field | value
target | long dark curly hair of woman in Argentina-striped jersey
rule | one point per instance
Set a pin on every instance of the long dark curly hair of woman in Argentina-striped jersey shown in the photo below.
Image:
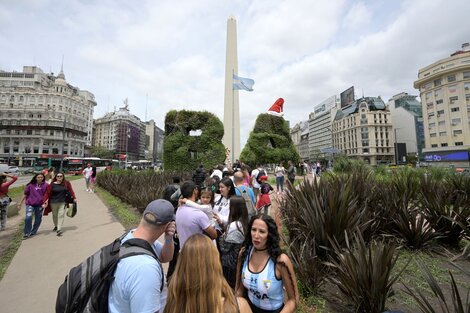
(274, 250)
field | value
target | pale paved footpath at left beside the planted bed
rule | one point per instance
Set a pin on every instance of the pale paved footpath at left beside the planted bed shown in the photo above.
(41, 263)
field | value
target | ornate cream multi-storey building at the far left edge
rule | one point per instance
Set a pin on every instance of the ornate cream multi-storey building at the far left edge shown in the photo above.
(35, 109)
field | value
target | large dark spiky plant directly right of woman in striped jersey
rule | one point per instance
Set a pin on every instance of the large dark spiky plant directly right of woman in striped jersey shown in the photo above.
(313, 213)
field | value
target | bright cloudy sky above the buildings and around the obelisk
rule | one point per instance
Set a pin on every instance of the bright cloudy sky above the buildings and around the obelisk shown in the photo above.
(164, 55)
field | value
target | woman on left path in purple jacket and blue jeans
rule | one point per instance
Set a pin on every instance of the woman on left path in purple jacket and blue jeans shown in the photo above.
(34, 195)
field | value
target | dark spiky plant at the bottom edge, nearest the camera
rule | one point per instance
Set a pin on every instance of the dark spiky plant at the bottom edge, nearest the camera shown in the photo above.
(363, 273)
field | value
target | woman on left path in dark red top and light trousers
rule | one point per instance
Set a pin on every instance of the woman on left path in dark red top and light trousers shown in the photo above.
(54, 200)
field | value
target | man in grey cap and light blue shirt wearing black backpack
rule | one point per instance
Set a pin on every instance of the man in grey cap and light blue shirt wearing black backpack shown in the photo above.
(125, 275)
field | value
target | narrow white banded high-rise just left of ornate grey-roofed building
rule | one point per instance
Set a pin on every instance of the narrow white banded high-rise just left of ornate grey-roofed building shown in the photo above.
(319, 125)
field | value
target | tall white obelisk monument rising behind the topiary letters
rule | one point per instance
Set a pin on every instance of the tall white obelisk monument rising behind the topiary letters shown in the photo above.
(231, 138)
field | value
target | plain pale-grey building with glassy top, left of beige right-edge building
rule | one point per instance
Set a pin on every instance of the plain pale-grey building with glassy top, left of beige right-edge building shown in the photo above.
(407, 117)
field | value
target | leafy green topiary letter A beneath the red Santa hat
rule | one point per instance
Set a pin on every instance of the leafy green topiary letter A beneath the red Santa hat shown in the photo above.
(269, 142)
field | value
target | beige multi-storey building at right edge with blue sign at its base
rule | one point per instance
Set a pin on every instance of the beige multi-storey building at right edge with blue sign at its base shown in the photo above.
(444, 88)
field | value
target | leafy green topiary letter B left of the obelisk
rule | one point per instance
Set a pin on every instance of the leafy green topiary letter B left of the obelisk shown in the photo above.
(192, 138)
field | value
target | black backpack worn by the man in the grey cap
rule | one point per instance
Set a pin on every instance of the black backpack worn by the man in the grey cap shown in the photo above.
(86, 287)
